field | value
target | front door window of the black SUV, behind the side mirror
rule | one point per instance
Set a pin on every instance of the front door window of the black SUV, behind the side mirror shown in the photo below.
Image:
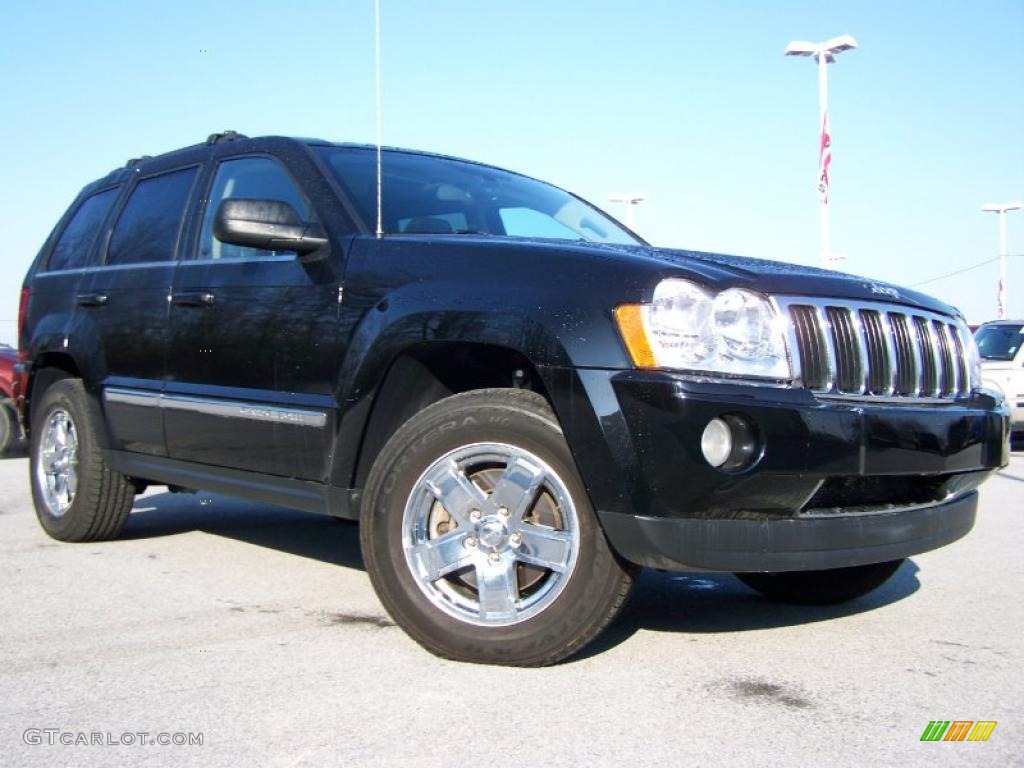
(253, 179)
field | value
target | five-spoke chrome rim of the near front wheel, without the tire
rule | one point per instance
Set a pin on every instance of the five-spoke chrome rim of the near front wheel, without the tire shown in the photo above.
(491, 534)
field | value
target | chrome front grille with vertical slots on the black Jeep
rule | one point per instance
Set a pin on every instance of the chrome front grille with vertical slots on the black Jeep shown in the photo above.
(869, 350)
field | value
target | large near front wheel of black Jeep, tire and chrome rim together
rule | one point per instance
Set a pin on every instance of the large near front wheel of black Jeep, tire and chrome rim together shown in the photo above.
(516, 518)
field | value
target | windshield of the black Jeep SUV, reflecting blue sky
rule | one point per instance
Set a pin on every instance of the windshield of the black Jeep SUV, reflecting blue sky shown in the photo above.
(428, 195)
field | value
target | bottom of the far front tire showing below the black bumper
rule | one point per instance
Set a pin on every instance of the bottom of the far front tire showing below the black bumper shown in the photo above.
(822, 587)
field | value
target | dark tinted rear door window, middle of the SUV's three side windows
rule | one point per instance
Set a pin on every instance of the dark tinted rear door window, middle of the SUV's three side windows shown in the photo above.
(148, 228)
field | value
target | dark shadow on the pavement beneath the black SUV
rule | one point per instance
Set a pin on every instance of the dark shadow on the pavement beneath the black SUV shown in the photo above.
(685, 604)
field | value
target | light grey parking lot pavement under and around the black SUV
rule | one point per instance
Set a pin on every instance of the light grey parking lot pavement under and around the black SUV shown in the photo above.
(258, 628)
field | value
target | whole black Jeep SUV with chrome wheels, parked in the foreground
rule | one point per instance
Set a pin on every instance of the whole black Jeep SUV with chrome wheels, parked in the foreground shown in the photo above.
(519, 399)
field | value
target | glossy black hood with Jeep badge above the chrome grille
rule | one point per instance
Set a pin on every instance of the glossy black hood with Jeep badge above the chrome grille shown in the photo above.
(780, 278)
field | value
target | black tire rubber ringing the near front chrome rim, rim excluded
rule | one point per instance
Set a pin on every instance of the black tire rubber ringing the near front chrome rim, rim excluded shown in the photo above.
(435, 436)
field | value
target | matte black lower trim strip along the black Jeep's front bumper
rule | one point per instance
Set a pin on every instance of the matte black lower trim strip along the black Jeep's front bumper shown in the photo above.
(789, 544)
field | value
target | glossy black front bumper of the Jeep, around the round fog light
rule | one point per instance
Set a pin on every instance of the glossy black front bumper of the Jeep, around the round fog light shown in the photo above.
(836, 483)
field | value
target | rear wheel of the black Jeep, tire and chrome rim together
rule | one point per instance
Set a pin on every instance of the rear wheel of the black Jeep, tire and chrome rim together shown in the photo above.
(78, 498)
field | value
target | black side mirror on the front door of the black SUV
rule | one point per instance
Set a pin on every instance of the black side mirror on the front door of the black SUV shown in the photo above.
(270, 225)
